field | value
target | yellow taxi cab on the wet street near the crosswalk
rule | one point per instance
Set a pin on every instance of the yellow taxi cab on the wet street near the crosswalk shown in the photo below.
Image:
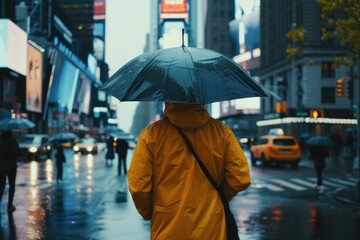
(278, 149)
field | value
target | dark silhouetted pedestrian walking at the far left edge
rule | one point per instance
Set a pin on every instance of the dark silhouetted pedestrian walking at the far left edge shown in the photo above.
(9, 148)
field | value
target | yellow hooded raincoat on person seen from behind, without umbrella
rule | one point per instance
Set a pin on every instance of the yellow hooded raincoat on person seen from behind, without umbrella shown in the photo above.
(166, 183)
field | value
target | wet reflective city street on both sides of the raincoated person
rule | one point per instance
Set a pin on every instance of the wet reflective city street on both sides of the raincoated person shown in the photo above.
(93, 202)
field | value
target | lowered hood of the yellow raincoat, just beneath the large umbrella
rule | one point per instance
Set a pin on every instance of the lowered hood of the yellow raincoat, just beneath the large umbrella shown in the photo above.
(187, 116)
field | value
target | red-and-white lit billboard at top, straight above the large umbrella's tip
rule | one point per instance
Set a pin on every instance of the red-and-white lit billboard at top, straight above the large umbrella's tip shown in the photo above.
(173, 9)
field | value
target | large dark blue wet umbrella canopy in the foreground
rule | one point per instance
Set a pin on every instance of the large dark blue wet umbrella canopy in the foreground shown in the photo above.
(182, 74)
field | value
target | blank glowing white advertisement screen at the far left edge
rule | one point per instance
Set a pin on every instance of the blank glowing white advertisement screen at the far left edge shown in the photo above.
(13, 47)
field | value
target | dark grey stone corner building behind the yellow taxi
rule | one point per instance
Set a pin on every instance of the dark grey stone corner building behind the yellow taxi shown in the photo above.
(305, 84)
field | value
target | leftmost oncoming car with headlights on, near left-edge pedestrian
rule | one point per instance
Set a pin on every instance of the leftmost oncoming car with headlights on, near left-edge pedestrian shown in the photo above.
(35, 146)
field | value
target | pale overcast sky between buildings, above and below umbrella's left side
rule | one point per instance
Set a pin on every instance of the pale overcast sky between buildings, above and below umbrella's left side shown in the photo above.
(127, 23)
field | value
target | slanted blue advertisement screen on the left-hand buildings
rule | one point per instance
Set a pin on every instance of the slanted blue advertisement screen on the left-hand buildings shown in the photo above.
(63, 82)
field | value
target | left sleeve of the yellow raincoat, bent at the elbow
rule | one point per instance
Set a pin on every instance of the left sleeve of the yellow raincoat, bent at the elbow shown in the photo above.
(140, 179)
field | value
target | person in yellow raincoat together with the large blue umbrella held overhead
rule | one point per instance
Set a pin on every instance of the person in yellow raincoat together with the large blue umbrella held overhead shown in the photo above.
(187, 166)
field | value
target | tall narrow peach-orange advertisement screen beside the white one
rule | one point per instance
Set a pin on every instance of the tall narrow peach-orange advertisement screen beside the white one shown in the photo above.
(34, 80)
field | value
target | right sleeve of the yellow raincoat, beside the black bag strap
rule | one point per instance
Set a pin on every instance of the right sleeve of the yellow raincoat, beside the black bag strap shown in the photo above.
(237, 174)
